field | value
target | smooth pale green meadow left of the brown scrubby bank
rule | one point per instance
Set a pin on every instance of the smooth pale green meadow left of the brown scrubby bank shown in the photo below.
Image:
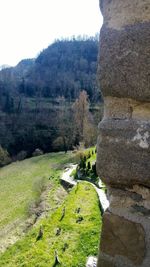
(19, 188)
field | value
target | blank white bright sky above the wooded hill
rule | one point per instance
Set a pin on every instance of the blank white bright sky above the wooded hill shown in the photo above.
(28, 26)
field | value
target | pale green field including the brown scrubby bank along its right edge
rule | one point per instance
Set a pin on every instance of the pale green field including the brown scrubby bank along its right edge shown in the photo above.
(24, 186)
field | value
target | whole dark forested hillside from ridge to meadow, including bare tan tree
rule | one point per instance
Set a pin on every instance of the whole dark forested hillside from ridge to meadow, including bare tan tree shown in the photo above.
(39, 99)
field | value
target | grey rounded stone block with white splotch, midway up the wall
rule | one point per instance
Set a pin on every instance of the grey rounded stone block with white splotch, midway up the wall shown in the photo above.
(123, 152)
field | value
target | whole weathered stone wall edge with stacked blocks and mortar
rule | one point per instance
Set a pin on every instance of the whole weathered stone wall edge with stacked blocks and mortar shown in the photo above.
(123, 160)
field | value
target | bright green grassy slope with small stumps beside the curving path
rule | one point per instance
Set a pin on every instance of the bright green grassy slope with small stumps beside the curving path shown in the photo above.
(76, 240)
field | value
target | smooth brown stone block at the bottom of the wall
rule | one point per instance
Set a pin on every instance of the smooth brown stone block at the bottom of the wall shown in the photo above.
(123, 237)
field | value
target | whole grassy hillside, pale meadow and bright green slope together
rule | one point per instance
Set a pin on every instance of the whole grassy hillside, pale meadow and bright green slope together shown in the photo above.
(80, 221)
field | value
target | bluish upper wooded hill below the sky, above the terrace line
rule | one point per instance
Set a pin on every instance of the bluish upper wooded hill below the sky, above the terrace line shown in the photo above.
(63, 69)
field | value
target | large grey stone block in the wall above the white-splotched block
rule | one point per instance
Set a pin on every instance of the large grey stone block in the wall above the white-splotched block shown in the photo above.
(124, 69)
